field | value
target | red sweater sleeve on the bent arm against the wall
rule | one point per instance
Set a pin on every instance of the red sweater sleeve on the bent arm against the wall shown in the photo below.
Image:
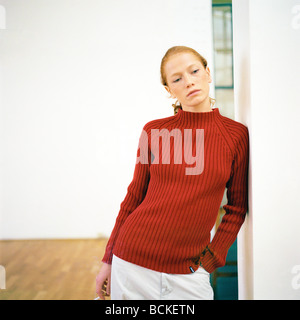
(214, 256)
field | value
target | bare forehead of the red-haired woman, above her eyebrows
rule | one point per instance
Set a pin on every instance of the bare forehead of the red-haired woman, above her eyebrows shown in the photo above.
(179, 62)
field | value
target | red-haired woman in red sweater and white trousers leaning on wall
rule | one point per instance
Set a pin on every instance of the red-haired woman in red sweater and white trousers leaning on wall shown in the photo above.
(160, 247)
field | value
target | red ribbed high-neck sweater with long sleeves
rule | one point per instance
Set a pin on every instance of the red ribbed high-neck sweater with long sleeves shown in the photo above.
(165, 220)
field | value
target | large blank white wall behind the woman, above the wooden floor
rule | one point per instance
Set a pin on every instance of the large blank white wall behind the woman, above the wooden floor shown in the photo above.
(80, 78)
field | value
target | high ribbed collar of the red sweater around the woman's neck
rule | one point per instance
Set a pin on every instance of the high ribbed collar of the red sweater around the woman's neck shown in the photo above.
(197, 118)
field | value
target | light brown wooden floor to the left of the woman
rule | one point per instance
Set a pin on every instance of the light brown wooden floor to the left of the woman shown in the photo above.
(51, 269)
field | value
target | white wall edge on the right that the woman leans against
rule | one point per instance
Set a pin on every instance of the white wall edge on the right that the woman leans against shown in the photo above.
(266, 62)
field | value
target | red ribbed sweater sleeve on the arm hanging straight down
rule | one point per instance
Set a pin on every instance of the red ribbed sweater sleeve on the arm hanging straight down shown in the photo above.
(136, 192)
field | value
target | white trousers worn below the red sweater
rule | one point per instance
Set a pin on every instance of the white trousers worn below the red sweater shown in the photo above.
(132, 282)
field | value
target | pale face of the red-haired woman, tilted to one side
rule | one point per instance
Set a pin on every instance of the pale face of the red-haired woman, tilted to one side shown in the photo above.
(188, 81)
